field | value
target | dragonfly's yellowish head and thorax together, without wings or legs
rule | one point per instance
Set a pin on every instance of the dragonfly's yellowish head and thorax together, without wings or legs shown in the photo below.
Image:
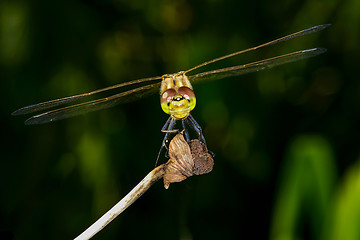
(176, 95)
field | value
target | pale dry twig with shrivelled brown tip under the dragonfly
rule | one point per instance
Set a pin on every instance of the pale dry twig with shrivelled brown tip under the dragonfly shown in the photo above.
(186, 159)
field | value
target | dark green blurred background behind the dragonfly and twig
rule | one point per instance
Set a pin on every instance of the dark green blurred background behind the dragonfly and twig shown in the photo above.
(286, 140)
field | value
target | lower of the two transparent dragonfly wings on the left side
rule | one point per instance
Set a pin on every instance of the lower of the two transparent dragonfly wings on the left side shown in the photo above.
(94, 105)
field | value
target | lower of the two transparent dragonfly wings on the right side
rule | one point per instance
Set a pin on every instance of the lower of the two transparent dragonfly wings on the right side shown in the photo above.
(255, 66)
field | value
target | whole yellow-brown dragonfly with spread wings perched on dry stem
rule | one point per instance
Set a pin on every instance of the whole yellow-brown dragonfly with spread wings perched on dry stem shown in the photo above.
(177, 97)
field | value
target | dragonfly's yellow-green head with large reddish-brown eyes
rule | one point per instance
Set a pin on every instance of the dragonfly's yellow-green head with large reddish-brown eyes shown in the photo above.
(178, 104)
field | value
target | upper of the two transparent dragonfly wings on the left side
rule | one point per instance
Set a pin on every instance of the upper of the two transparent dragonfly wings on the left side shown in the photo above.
(65, 100)
